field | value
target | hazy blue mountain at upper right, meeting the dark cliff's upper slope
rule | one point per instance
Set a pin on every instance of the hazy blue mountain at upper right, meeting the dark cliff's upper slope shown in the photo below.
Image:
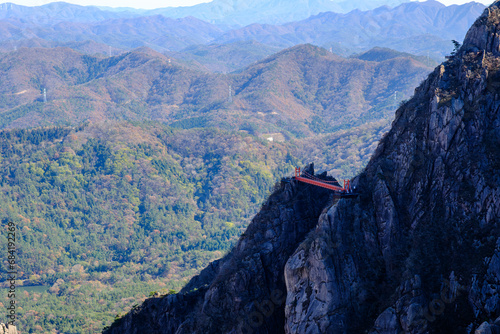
(412, 27)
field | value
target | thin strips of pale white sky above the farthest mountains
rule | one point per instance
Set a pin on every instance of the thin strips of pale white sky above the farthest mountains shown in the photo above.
(148, 4)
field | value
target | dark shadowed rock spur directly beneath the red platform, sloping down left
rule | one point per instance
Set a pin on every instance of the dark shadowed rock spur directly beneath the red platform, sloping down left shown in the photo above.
(245, 291)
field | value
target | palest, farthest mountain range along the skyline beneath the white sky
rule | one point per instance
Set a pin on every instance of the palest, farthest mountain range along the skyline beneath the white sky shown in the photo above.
(223, 12)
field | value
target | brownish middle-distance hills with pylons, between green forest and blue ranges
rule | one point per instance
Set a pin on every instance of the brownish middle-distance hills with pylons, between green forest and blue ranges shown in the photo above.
(297, 92)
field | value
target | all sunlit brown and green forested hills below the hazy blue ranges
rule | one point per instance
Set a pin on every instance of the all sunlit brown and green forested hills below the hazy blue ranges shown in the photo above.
(145, 169)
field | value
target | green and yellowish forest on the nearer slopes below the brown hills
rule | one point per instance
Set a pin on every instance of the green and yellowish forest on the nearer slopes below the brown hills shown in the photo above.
(108, 214)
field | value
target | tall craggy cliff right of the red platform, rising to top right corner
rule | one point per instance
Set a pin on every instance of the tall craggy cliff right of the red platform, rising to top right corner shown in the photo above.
(419, 250)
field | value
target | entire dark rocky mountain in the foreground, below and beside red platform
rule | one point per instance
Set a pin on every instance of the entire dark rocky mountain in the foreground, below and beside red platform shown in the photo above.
(418, 251)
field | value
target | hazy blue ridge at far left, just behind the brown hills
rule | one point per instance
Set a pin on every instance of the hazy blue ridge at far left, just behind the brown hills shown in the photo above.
(125, 33)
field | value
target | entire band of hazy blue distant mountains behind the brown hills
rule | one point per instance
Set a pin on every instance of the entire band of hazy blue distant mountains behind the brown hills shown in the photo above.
(420, 28)
